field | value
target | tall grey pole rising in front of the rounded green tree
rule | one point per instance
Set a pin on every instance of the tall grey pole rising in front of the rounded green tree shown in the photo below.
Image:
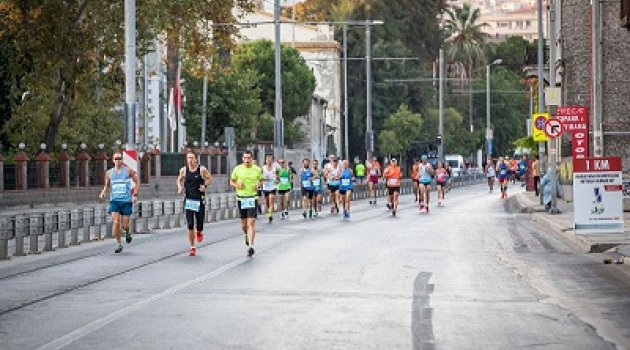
(278, 142)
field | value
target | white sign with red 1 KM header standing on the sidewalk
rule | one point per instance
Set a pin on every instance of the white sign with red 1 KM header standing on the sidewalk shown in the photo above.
(598, 195)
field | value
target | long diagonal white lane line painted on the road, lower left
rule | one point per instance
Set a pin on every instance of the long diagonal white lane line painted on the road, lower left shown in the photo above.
(102, 322)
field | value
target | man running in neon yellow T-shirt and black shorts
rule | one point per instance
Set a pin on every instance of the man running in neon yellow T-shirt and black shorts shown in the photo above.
(246, 178)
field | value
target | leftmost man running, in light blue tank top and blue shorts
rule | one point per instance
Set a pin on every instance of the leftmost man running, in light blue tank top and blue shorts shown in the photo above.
(121, 197)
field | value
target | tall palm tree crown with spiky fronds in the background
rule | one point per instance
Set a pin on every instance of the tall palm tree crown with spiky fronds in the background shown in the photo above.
(466, 39)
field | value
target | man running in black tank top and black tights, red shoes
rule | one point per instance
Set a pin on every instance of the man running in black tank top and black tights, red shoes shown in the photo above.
(196, 179)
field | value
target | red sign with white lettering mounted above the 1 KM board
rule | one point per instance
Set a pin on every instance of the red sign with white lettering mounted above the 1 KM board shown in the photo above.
(575, 120)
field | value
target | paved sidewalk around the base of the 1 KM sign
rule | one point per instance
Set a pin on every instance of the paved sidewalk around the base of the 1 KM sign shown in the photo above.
(562, 225)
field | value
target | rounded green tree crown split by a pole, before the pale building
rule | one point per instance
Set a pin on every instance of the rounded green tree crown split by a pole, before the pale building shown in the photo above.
(298, 82)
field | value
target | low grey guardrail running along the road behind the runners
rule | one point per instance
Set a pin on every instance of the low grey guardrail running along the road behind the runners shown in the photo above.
(35, 233)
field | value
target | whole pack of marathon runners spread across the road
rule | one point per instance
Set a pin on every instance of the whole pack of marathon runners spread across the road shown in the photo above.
(257, 187)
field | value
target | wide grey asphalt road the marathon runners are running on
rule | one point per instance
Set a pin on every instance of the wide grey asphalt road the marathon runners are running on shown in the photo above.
(469, 275)
